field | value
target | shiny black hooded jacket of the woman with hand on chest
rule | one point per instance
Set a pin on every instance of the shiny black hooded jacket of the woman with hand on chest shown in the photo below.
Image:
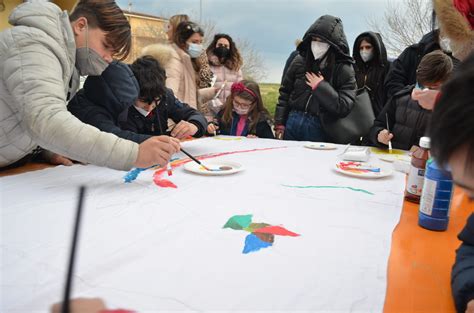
(335, 94)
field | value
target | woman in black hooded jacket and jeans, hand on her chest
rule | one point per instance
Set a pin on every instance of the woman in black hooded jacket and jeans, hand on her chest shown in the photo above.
(320, 80)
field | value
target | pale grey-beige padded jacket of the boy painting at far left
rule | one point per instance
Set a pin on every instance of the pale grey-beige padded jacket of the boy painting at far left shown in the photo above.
(37, 58)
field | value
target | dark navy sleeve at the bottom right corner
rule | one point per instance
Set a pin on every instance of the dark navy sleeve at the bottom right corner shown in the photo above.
(462, 276)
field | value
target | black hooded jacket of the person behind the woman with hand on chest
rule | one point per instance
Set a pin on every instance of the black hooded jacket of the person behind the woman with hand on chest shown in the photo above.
(372, 74)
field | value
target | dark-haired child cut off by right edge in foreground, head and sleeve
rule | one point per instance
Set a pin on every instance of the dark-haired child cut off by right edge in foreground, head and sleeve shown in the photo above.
(452, 144)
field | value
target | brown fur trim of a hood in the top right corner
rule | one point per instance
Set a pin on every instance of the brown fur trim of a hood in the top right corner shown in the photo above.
(456, 27)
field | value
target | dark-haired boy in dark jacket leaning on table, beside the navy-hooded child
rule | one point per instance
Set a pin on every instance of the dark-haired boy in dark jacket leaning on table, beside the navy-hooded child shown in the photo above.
(156, 103)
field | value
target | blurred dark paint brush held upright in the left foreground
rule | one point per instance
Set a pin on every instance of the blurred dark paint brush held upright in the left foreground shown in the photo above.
(67, 289)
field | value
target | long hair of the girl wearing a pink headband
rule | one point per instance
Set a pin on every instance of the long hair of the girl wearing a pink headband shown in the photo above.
(257, 112)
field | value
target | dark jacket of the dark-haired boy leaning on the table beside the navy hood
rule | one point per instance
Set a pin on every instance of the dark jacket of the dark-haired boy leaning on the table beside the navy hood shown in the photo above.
(156, 123)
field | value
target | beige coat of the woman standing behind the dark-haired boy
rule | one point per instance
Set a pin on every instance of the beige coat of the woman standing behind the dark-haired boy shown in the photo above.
(180, 75)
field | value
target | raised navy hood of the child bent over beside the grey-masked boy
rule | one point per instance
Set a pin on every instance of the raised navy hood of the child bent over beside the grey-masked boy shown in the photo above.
(115, 90)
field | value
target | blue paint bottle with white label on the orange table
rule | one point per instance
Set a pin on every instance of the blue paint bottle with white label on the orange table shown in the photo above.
(435, 198)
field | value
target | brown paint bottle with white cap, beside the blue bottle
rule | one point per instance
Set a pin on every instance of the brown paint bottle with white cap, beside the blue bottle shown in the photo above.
(416, 175)
